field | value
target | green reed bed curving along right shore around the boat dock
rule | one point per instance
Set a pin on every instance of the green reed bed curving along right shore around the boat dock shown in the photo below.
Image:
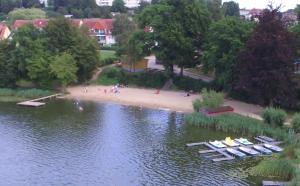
(284, 166)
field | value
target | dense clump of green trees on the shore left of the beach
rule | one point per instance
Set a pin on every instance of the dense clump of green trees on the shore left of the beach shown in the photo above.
(57, 55)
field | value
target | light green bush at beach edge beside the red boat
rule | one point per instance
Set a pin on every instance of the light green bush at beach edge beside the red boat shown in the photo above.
(212, 99)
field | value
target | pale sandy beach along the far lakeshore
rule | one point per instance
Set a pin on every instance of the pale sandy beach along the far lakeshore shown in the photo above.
(172, 100)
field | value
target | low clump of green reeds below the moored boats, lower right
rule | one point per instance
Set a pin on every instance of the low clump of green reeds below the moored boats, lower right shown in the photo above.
(278, 168)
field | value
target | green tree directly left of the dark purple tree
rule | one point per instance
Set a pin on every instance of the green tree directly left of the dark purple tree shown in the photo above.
(225, 40)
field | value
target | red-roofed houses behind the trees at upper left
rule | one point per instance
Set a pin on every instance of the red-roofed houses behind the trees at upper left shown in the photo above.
(101, 29)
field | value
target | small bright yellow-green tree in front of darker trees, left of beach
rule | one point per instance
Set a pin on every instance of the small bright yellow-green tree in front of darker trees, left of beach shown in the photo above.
(64, 69)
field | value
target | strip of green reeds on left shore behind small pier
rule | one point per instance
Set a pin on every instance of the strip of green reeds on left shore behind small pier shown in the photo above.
(15, 95)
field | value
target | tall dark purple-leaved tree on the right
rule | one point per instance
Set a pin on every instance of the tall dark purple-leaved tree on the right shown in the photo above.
(265, 67)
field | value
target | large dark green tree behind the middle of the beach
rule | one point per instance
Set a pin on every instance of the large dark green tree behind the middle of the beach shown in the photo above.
(178, 30)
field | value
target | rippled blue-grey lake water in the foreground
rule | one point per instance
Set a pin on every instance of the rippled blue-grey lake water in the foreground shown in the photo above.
(107, 144)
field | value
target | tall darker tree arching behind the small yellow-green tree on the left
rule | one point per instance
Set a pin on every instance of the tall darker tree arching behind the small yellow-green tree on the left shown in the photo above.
(65, 37)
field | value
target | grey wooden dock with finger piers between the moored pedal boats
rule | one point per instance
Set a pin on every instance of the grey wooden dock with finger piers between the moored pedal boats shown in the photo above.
(220, 154)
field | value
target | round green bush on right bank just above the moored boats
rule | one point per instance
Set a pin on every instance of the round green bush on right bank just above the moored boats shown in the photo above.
(274, 116)
